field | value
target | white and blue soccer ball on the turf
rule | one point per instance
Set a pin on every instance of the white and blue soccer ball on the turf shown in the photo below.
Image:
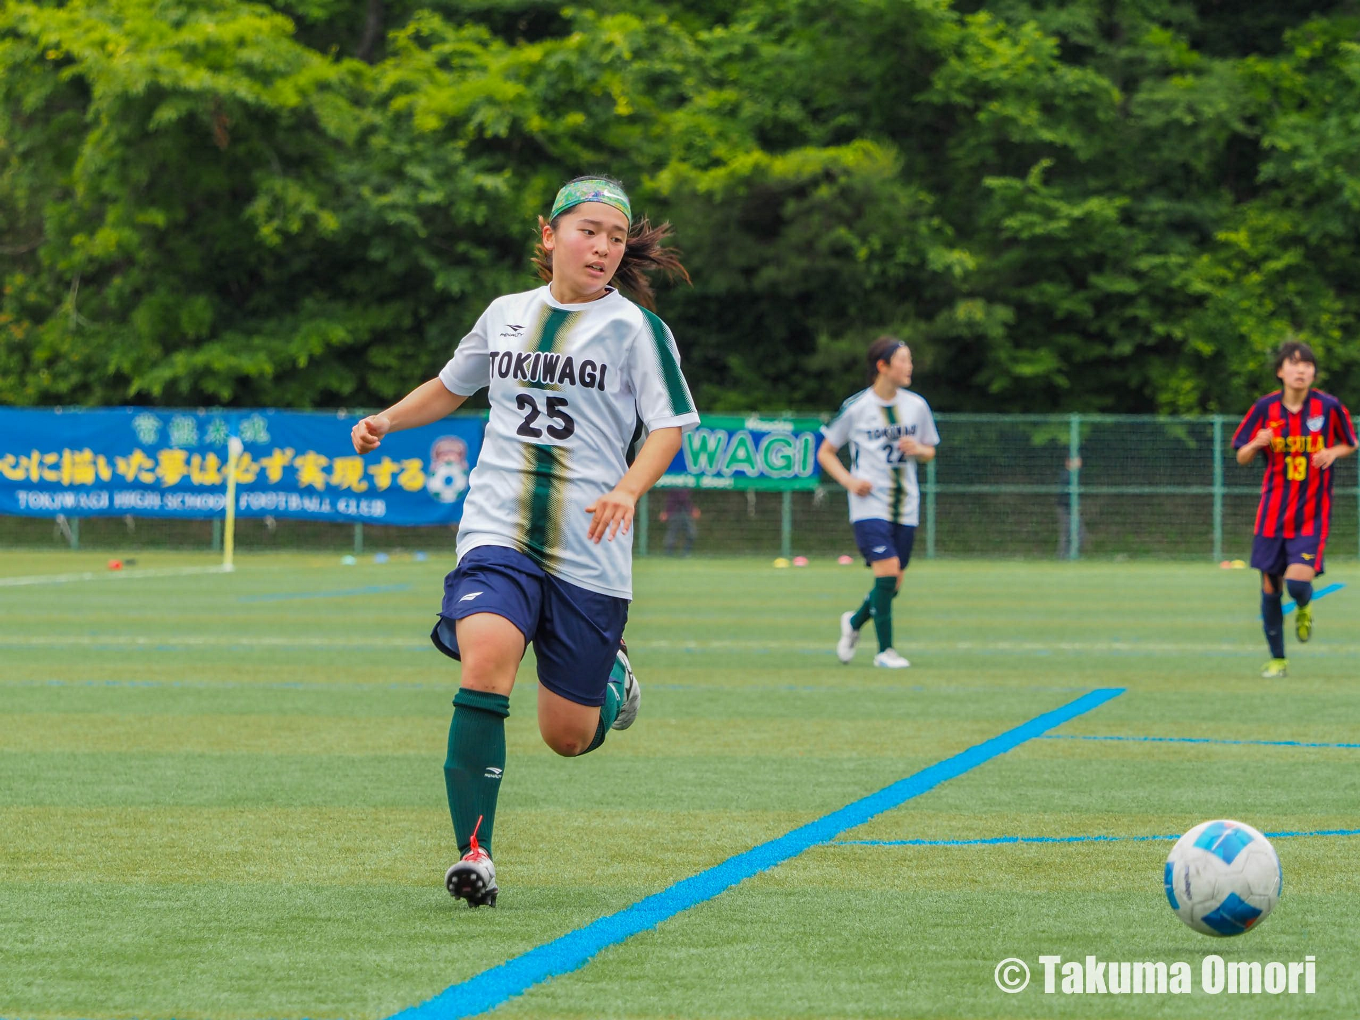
(1223, 878)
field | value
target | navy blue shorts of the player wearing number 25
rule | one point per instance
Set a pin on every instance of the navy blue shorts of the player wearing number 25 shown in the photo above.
(575, 632)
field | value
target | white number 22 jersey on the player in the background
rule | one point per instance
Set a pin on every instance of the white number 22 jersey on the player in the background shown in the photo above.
(872, 428)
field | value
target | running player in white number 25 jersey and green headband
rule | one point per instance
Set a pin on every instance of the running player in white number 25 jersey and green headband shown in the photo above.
(545, 553)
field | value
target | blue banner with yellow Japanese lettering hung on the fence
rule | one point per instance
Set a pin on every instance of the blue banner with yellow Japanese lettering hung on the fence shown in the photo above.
(157, 463)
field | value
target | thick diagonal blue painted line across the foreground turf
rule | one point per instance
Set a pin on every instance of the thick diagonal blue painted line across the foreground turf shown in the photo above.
(515, 977)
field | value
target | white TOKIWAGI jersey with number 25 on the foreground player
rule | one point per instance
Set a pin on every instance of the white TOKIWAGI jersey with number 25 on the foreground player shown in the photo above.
(569, 386)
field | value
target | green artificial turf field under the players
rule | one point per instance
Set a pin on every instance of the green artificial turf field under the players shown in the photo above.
(222, 796)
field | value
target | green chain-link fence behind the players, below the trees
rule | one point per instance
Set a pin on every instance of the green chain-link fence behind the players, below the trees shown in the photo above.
(1060, 486)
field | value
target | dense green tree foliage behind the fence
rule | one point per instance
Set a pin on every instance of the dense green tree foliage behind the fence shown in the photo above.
(1063, 206)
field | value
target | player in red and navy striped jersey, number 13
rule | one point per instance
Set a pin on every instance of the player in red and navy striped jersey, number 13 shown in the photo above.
(1304, 433)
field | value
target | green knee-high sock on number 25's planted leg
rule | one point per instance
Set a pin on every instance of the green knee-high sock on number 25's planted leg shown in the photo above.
(475, 764)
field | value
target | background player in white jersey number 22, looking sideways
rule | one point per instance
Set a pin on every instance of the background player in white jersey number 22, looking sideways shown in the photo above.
(890, 430)
